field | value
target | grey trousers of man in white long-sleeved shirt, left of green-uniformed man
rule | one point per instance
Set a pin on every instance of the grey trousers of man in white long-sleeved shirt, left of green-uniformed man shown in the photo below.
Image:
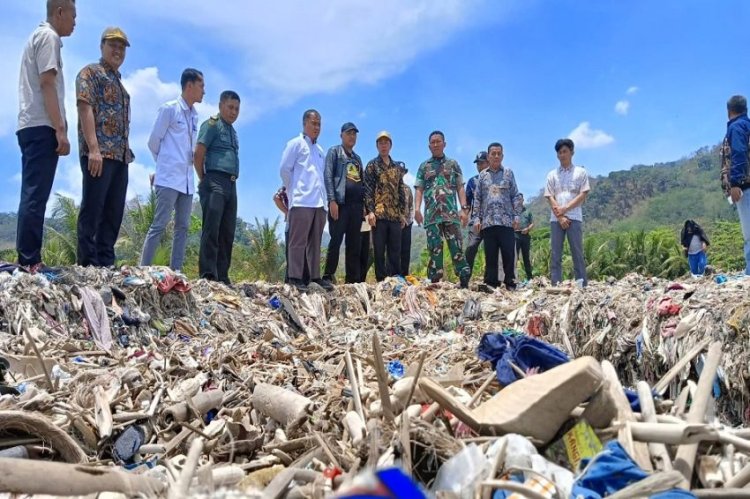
(168, 200)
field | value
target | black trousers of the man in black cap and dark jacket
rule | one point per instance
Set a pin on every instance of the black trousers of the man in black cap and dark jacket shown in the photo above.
(349, 224)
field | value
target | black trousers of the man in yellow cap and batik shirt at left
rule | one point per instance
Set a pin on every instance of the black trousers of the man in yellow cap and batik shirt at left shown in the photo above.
(102, 209)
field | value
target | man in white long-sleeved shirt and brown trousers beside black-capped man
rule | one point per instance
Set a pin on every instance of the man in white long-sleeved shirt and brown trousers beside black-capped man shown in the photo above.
(303, 174)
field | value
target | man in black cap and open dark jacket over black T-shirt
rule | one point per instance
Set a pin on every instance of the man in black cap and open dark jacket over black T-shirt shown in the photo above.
(343, 181)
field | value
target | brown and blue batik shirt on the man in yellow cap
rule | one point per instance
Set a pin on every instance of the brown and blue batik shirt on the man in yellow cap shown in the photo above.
(101, 87)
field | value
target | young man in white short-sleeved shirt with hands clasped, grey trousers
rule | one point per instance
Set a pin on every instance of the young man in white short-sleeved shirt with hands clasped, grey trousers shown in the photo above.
(566, 190)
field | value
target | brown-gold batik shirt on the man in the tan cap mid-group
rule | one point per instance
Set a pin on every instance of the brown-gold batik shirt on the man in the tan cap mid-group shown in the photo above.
(384, 192)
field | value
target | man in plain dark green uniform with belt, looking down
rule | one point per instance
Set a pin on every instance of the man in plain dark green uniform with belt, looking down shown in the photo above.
(217, 165)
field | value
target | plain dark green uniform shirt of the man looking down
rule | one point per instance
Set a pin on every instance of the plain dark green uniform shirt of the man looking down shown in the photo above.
(222, 146)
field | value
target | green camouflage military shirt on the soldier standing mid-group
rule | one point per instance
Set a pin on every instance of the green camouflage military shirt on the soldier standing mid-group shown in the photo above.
(440, 178)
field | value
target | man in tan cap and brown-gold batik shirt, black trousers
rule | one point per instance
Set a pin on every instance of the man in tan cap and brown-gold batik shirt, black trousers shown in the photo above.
(386, 207)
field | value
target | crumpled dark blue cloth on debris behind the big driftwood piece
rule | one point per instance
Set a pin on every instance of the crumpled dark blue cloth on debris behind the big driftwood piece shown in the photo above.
(524, 351)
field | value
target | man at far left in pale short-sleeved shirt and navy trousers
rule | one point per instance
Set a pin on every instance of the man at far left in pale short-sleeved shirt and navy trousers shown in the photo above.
(42, 127)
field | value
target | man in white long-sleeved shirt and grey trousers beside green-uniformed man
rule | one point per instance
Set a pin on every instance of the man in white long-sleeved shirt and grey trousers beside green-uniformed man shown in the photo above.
(172, 143)
